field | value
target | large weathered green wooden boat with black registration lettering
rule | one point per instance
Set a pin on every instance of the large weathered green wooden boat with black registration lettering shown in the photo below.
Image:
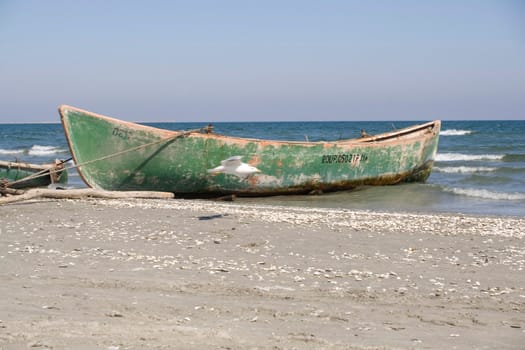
(116, 155)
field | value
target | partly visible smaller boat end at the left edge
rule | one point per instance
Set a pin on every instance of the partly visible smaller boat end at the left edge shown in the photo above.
(19, 175)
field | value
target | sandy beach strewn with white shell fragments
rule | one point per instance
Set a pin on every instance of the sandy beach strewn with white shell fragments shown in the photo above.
(180, 274)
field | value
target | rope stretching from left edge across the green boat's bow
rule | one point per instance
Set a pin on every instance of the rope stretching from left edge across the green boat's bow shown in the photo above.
(59, 167)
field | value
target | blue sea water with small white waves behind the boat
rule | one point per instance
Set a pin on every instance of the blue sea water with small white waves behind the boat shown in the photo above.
(479, 169)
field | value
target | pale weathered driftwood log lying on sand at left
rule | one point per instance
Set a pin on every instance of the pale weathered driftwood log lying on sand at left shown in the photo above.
(80, 193)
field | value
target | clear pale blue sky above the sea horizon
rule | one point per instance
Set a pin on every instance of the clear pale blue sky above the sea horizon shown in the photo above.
(263, 60)
